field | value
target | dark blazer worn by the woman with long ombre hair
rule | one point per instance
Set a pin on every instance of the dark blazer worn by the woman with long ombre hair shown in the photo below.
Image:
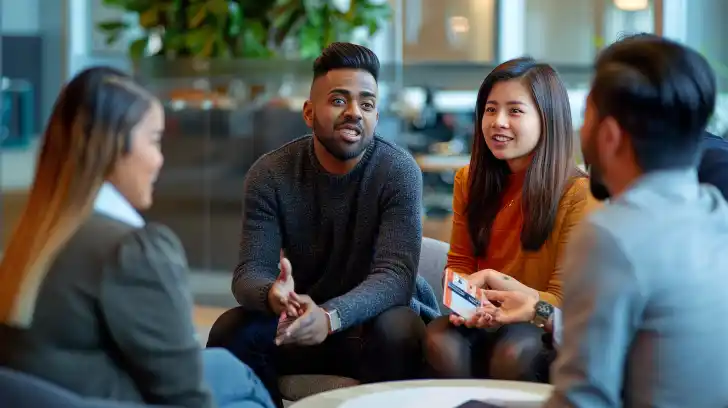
(113, 319)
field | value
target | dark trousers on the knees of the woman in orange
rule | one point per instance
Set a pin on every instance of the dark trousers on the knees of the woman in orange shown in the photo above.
(513, 352)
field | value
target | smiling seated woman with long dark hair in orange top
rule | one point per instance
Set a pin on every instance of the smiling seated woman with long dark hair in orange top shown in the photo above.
(514, 207)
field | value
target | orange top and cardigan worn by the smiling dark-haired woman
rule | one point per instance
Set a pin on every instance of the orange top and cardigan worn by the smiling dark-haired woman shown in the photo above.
(540, 270)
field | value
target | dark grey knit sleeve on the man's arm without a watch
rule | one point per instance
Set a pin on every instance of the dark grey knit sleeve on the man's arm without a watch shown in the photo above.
(260, 241)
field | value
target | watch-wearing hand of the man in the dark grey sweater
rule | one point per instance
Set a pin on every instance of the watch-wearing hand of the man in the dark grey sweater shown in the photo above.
(309, 329)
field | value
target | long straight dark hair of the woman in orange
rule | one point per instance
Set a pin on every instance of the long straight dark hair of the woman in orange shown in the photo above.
(550, 170)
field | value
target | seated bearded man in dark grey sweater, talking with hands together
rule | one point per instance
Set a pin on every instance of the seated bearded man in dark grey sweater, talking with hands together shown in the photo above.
(344, 207)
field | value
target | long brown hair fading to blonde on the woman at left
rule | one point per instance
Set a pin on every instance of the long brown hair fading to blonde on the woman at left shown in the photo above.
(89, 129)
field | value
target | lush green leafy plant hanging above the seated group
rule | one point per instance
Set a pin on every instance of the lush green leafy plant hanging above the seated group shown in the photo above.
(227, 29)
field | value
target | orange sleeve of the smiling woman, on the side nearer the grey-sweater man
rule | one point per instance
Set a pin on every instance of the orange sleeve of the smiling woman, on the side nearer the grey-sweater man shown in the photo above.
(461, 258)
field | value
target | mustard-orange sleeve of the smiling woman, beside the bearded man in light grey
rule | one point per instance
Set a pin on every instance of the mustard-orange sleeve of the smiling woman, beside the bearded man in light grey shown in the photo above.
(577, 203)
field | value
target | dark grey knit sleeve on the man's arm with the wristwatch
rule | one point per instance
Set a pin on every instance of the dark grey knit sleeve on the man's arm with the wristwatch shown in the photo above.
(391, 280)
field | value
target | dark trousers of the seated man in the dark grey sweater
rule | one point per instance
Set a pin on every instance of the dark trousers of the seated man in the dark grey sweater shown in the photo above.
(386, 348)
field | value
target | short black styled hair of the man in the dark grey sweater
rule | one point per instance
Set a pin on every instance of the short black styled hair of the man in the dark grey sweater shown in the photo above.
(341, 55)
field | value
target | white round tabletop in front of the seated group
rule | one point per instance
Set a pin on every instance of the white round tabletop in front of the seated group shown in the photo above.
(426, 393)
